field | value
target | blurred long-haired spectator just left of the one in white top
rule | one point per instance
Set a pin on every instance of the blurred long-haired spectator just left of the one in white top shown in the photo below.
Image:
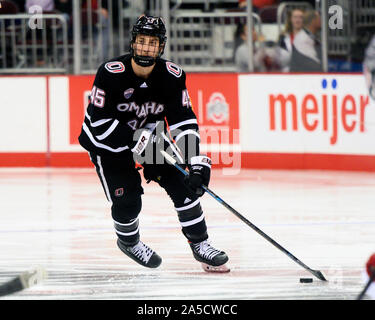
(293, 25)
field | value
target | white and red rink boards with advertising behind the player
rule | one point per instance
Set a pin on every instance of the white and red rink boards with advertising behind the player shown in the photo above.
(283, 121)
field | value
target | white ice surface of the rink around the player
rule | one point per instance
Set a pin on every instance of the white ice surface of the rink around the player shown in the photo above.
(60, 219)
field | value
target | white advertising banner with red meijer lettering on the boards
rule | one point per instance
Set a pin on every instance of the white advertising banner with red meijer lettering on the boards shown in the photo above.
(330, 114)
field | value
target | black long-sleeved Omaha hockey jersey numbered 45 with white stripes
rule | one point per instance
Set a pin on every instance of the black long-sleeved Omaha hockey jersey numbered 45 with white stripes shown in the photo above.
(121, 103)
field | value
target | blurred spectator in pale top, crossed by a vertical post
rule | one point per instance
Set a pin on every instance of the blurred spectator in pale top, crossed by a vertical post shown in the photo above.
(265, 54)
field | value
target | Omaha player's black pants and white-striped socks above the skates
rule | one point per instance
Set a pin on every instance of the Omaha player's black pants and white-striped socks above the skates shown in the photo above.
(121, 182)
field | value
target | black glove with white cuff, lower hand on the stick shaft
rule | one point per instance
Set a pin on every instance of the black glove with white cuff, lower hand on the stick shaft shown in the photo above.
(199, 173)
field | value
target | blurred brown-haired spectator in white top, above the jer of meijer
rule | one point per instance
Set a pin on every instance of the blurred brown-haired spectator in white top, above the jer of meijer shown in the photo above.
(307, 52)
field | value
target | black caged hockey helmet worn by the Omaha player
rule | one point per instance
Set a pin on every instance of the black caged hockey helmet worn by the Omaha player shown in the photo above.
(151, 26)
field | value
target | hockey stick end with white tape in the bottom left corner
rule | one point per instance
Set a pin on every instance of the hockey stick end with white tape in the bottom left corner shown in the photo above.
(23, 281)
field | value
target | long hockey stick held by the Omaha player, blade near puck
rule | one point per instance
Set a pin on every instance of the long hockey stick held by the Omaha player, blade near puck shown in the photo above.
(316, 273)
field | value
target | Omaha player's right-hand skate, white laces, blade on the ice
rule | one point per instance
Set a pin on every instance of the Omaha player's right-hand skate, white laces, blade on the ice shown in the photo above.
(212, 260)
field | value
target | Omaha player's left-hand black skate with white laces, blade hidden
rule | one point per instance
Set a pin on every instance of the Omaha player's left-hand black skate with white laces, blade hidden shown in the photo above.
(141, 253)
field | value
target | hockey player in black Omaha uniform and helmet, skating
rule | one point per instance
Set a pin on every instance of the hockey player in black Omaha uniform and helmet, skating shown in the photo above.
(131, 94)
